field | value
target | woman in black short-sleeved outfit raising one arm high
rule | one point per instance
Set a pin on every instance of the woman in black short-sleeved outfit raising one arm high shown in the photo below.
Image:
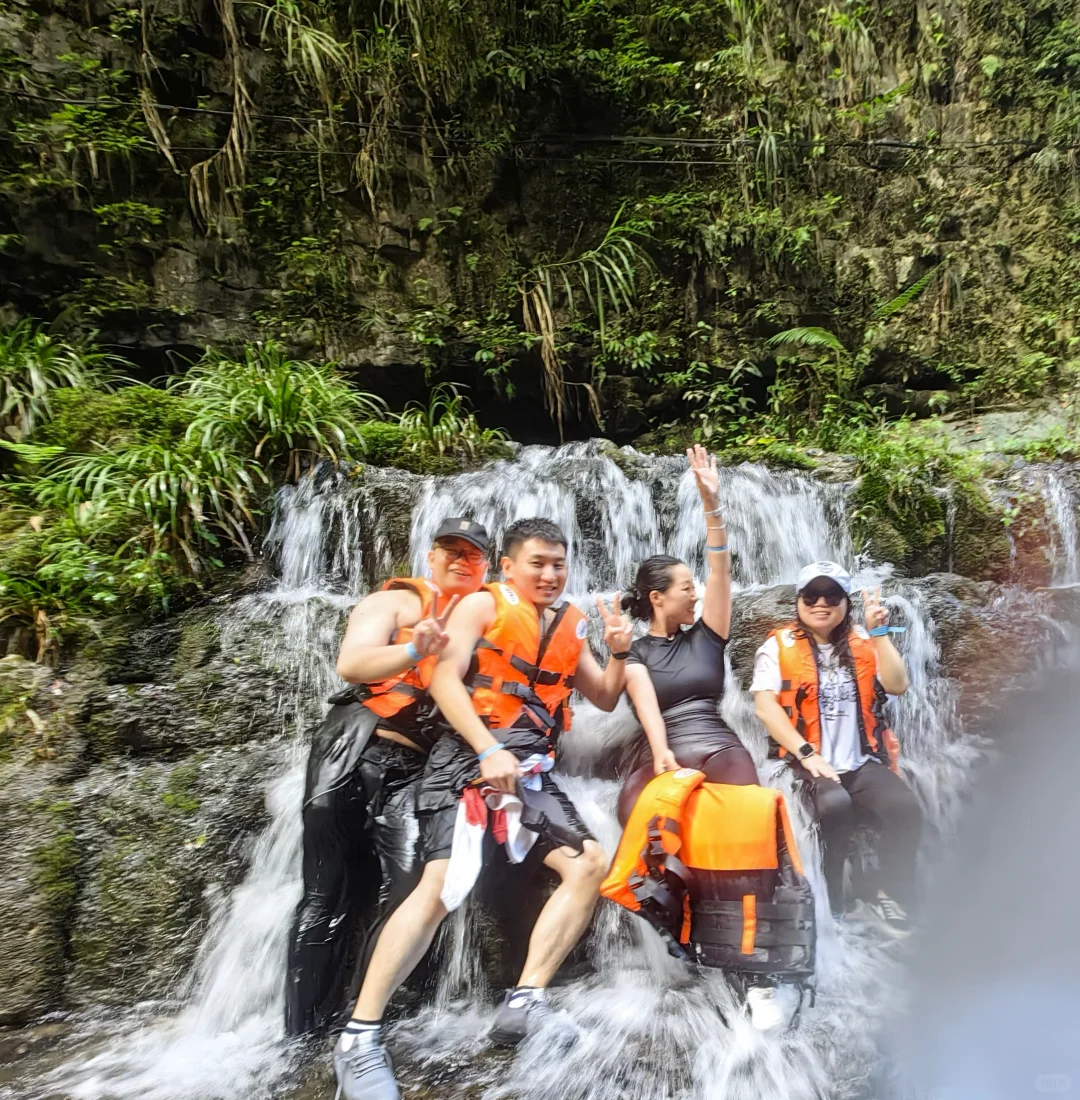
(676, 677)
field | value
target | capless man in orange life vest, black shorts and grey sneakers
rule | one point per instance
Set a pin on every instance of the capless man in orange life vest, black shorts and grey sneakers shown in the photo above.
(503, 684)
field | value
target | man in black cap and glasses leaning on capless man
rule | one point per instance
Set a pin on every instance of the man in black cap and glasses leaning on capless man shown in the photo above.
(359, 820)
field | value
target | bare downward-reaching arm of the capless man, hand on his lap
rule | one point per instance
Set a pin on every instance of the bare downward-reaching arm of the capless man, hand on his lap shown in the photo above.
(466, 628)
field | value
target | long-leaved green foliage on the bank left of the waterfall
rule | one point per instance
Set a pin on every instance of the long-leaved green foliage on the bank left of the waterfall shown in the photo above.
(137, 494)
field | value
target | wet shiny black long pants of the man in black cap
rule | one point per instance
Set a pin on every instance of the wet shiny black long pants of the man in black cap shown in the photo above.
(359, 861)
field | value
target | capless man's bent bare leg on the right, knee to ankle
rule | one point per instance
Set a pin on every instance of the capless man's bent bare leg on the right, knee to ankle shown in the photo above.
(568, 912)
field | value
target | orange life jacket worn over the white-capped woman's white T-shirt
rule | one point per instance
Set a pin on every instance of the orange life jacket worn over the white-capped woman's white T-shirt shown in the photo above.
(800, 699)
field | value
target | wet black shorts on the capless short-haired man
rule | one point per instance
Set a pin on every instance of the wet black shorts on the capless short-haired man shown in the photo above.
(453, 767)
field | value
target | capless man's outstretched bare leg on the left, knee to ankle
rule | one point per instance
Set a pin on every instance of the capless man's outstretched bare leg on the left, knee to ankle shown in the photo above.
(407, 936)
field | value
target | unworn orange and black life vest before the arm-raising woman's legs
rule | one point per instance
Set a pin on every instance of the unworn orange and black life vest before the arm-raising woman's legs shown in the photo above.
(717, 870)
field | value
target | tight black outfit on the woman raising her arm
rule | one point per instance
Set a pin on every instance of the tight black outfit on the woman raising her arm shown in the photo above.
(687, 672)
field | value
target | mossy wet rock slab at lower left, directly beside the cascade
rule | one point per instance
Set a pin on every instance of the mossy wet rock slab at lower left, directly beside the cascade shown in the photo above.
(162, 844)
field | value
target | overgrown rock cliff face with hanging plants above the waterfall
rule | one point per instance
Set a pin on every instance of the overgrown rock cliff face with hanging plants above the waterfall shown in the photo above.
(610, 207)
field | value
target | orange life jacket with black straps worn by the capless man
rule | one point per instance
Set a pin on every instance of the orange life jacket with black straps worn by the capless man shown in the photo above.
(520, 677)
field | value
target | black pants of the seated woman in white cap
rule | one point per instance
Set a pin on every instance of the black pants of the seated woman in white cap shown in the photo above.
(870, 796)
